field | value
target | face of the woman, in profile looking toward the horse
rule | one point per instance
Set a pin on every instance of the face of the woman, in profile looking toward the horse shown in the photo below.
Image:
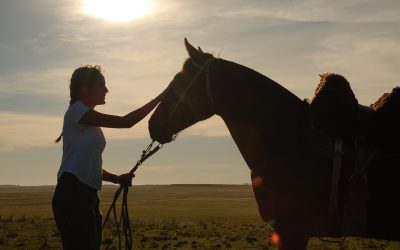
(95, 94)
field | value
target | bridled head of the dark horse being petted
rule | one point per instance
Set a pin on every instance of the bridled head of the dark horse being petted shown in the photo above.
(187, 100)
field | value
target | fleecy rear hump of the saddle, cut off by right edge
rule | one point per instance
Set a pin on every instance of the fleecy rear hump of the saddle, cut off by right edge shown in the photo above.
(384, 130)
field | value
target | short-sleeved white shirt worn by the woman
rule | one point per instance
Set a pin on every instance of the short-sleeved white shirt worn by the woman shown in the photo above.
(82, 147)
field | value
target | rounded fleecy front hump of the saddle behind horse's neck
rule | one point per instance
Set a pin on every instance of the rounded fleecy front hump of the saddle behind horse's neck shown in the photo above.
(334, 106)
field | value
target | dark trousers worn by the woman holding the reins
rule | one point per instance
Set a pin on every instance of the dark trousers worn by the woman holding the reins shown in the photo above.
(77, 215)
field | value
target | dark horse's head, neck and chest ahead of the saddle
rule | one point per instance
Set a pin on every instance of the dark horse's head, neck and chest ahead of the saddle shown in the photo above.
(291, 185)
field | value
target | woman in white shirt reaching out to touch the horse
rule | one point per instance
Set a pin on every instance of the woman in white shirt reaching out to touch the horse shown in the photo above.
(75, 201)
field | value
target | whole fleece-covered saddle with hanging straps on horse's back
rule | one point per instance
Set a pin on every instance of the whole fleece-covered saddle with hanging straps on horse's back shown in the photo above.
(369, 134)
